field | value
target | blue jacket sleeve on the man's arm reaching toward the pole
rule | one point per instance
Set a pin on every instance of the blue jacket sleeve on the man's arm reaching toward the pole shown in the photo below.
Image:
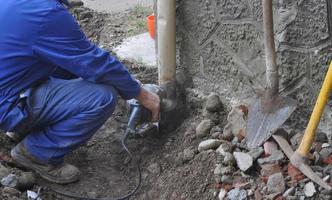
(62, 43)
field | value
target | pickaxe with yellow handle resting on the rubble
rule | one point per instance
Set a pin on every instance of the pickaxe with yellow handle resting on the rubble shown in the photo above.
(298, 157)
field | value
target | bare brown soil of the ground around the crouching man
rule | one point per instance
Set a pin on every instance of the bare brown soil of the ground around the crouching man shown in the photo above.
(106, 168)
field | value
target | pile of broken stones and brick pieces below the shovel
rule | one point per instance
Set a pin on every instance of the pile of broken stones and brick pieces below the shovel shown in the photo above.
(262, 173)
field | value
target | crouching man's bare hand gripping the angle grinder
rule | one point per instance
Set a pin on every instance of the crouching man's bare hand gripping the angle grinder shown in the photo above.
(150, 101)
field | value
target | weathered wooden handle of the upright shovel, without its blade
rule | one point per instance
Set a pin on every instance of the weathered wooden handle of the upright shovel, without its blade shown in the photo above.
(272, 77)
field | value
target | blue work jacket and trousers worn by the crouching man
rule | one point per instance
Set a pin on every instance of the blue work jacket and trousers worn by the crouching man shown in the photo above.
(41, 46)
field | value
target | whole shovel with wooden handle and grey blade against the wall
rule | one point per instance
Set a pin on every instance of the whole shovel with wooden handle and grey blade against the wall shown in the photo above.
(270, 110)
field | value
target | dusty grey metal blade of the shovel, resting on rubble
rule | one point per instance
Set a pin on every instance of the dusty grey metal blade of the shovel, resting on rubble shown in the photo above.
(265, 117)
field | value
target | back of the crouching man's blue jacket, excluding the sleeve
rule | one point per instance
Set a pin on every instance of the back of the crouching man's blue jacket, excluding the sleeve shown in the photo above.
(20, 23)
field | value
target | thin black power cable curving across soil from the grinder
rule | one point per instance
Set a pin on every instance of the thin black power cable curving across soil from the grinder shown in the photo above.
(127, 196)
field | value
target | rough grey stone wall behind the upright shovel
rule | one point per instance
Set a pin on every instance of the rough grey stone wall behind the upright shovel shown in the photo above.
(221, 46)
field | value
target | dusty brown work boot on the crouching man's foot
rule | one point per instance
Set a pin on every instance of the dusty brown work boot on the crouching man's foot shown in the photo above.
(61, 174)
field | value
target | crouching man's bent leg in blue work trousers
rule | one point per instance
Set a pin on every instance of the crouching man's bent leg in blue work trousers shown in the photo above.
(64, 114)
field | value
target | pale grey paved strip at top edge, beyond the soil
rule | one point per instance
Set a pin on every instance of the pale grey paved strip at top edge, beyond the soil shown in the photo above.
(113, 6)
